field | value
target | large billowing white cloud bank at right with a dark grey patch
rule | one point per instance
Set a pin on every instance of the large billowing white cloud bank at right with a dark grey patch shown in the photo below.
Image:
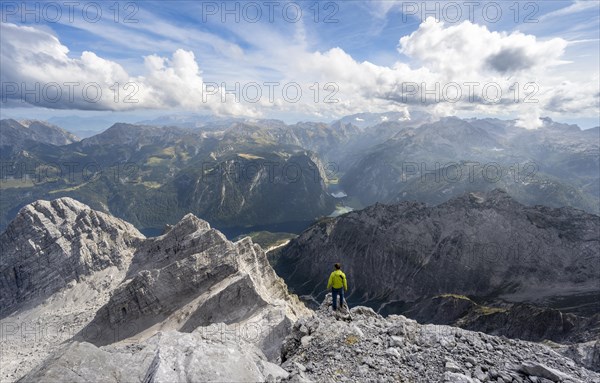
(463, 67)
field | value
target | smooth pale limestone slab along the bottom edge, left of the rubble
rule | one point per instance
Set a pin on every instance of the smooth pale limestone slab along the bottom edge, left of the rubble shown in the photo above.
(170, 356)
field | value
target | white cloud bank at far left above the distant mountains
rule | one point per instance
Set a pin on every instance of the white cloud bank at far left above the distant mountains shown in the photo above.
(37, 70)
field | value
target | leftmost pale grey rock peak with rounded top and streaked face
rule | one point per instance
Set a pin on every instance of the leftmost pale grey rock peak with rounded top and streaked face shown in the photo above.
(53, 243)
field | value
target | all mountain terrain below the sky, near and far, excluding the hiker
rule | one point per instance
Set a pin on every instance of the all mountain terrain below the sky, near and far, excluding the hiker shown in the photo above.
(470, 223)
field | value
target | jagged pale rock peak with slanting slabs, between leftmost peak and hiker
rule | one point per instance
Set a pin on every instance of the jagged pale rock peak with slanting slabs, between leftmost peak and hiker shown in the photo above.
(193, 276)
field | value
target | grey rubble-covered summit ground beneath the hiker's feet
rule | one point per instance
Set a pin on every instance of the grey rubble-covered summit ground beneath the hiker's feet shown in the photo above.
(397, 349)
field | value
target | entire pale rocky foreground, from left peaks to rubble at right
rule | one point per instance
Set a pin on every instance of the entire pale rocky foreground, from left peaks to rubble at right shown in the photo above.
(86, 297)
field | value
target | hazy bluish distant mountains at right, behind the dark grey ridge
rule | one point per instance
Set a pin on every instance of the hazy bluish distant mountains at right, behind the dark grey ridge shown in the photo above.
(556, 165)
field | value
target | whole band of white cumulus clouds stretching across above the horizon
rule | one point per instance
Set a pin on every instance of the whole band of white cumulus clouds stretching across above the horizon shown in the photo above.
(451, 68)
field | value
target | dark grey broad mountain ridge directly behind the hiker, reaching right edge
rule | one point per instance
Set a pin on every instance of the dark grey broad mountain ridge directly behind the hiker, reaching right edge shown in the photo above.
(485, 246)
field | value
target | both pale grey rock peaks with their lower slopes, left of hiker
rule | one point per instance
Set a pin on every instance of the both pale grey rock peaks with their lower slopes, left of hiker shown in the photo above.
(96, 279)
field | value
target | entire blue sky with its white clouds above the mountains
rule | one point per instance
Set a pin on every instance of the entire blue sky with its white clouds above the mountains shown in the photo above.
(355, 45)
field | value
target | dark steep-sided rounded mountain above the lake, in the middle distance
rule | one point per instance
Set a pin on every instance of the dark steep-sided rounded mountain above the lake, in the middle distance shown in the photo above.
(246, 189)
